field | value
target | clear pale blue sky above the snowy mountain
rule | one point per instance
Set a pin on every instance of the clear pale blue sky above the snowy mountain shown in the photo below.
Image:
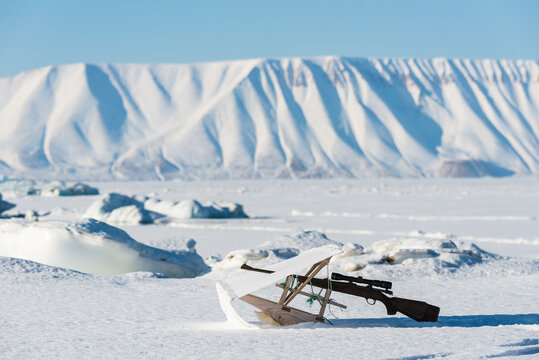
(40, 33)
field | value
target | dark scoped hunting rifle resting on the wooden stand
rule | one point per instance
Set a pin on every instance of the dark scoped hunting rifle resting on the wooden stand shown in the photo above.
(374, 290)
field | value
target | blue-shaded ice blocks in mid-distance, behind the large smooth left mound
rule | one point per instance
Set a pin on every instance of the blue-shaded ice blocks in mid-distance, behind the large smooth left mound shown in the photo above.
(121, 209)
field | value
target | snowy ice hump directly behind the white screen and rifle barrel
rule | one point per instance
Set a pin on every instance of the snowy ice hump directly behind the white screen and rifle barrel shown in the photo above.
(281, 248)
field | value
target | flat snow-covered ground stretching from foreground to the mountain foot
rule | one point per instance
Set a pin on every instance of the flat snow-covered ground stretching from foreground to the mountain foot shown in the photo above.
(488, 298)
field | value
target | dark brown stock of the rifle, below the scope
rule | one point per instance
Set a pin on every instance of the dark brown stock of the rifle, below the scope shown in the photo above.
(417, 310)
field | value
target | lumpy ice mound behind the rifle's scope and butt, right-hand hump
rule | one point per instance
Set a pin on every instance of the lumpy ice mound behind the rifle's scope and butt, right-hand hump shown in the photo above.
(427, 253)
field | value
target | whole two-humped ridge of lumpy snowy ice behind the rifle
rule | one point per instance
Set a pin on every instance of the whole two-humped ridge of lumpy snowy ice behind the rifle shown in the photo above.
(431, 255)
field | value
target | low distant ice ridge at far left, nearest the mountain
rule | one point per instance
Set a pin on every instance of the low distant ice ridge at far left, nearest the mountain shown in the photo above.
(17, 187)
